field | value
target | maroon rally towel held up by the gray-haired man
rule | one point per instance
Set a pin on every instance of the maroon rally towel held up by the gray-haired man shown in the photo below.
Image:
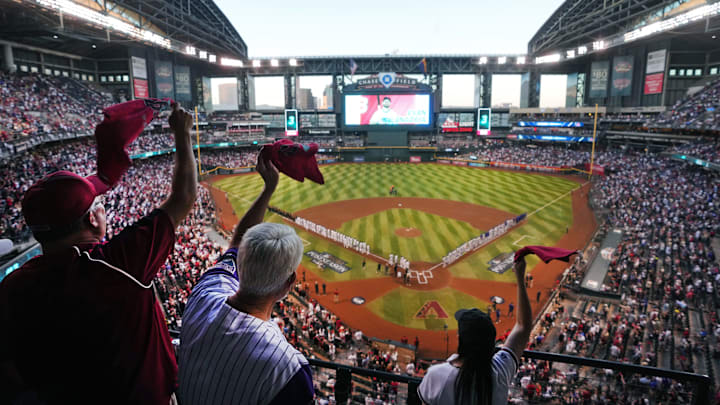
(295, 160)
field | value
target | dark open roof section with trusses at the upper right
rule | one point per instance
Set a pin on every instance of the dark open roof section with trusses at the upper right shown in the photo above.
(585, 21)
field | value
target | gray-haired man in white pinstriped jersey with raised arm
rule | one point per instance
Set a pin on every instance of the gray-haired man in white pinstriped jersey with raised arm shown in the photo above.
(230, 352)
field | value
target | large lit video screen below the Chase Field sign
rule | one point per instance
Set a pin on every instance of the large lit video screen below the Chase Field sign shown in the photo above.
(387, 110)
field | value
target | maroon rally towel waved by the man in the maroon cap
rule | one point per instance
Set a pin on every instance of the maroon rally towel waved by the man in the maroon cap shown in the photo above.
(122, 124)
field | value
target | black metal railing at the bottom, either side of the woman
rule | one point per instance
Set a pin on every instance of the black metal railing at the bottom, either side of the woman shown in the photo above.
(701, 393)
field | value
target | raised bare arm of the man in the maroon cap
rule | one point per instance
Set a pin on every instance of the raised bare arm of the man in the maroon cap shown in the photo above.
(184, 182)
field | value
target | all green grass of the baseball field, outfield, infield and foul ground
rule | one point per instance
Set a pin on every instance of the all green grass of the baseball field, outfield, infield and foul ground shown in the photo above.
(546, 198)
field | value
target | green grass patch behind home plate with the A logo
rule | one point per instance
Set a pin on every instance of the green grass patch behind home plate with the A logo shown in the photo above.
(401, 306)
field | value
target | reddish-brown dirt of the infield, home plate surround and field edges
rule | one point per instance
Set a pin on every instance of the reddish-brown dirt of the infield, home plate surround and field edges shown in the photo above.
(432, 343)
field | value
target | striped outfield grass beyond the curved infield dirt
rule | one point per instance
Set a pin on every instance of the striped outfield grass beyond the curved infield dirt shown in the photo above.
(509, 191)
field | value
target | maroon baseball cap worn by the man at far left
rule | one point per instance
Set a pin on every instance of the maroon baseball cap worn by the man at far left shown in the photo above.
(59, 199)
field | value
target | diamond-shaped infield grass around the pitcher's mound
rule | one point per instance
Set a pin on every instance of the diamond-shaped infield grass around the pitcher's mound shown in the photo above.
(439, 234)
